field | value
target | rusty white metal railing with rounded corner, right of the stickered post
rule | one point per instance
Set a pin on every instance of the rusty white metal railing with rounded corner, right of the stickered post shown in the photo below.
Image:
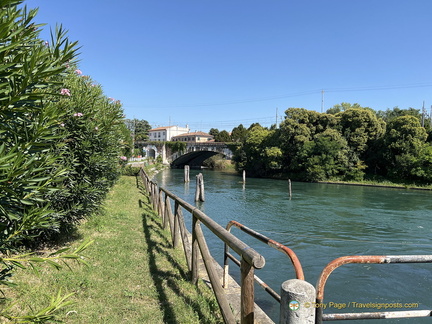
(378, 259)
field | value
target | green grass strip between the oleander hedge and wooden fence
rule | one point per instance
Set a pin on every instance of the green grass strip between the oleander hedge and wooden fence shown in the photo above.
(134, 275)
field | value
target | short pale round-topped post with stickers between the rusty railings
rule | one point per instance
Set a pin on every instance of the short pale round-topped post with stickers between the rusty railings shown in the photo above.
(297, 302)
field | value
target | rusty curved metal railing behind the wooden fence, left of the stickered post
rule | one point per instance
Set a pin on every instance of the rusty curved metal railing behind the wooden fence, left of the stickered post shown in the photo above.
(280, 247)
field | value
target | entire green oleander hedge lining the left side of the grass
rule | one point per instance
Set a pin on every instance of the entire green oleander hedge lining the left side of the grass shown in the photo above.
(62, 142)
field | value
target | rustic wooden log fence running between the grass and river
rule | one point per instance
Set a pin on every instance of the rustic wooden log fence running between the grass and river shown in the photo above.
(250, 259)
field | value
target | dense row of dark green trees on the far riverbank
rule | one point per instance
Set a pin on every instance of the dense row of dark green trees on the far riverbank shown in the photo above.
(348, 142)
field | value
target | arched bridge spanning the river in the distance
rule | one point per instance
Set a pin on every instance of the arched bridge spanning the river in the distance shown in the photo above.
(194, 156)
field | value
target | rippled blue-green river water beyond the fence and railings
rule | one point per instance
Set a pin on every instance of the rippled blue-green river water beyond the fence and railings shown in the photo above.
(320, 223)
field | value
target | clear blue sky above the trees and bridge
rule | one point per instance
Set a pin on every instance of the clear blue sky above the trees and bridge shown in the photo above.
(221, 63)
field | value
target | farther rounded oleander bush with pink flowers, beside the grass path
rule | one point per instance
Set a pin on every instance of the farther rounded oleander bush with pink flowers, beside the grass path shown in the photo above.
(95, 143)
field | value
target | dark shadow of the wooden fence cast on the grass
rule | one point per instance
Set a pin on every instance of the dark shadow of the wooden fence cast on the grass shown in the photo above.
(168, 279)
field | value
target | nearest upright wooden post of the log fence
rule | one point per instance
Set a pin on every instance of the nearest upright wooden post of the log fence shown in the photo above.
(247, 293)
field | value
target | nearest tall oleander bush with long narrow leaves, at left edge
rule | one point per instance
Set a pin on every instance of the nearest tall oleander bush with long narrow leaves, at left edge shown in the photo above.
(32, 148)
